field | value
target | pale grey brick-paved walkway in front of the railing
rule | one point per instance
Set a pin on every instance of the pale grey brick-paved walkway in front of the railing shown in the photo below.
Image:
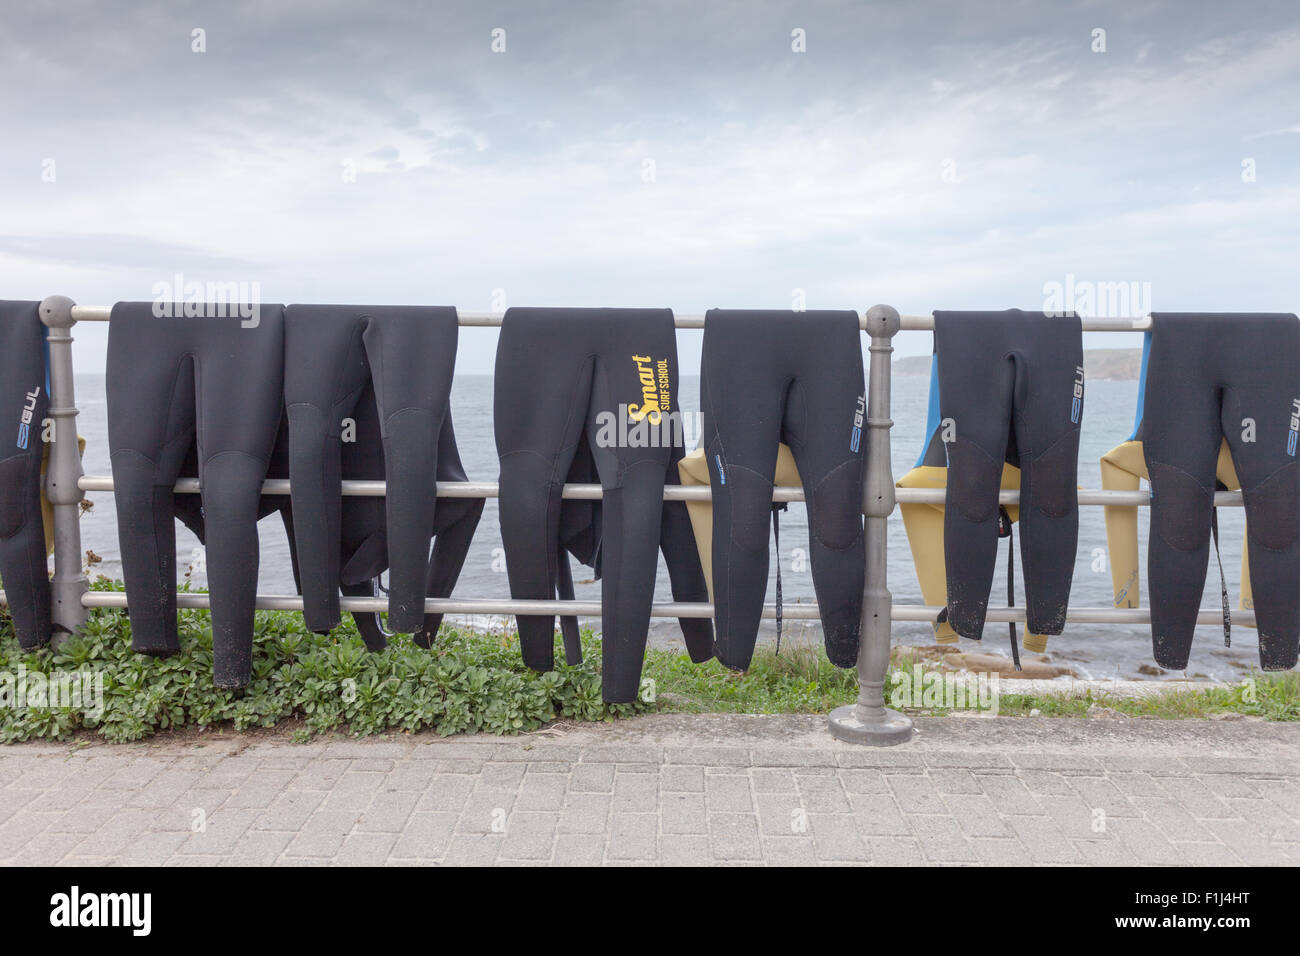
(674, 790)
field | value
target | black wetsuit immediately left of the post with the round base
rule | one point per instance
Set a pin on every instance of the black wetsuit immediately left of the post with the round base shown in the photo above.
(795, 378)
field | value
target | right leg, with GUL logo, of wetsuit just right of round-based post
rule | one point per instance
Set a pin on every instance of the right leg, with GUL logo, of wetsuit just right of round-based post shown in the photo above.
(1048, 412)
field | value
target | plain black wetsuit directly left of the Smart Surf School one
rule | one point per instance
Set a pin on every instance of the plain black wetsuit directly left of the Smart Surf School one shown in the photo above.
(382, 379)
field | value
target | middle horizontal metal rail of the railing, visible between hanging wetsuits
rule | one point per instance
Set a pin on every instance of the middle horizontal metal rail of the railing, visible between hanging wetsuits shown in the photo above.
(489, 490)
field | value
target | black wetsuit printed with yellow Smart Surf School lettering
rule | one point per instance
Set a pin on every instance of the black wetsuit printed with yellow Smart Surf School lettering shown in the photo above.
(580, 395)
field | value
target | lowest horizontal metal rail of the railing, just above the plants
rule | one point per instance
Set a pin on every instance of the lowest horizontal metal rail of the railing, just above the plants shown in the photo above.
(665, 609)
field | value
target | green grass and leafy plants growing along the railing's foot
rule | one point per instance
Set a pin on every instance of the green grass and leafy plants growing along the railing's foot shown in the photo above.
(309, 685)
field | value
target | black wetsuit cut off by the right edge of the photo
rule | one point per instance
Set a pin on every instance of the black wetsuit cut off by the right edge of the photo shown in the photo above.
(1212, 378)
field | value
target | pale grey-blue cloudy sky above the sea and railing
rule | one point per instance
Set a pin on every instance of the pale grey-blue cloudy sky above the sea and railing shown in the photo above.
(944, 155)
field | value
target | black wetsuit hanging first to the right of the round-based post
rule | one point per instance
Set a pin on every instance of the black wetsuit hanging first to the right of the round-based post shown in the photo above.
(1011, 390)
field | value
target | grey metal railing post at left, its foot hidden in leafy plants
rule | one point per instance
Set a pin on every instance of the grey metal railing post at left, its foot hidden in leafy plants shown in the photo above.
(64, 470)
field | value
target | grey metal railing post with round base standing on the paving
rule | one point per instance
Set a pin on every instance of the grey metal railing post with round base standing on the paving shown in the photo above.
(870, 721)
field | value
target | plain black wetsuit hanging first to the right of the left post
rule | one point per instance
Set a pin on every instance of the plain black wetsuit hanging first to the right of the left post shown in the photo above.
(216, 384)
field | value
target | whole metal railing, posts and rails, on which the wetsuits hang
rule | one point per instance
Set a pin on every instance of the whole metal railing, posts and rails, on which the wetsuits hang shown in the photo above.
(868, 721)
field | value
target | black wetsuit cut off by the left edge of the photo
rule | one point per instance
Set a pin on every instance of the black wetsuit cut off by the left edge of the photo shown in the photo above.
(24, 400)
